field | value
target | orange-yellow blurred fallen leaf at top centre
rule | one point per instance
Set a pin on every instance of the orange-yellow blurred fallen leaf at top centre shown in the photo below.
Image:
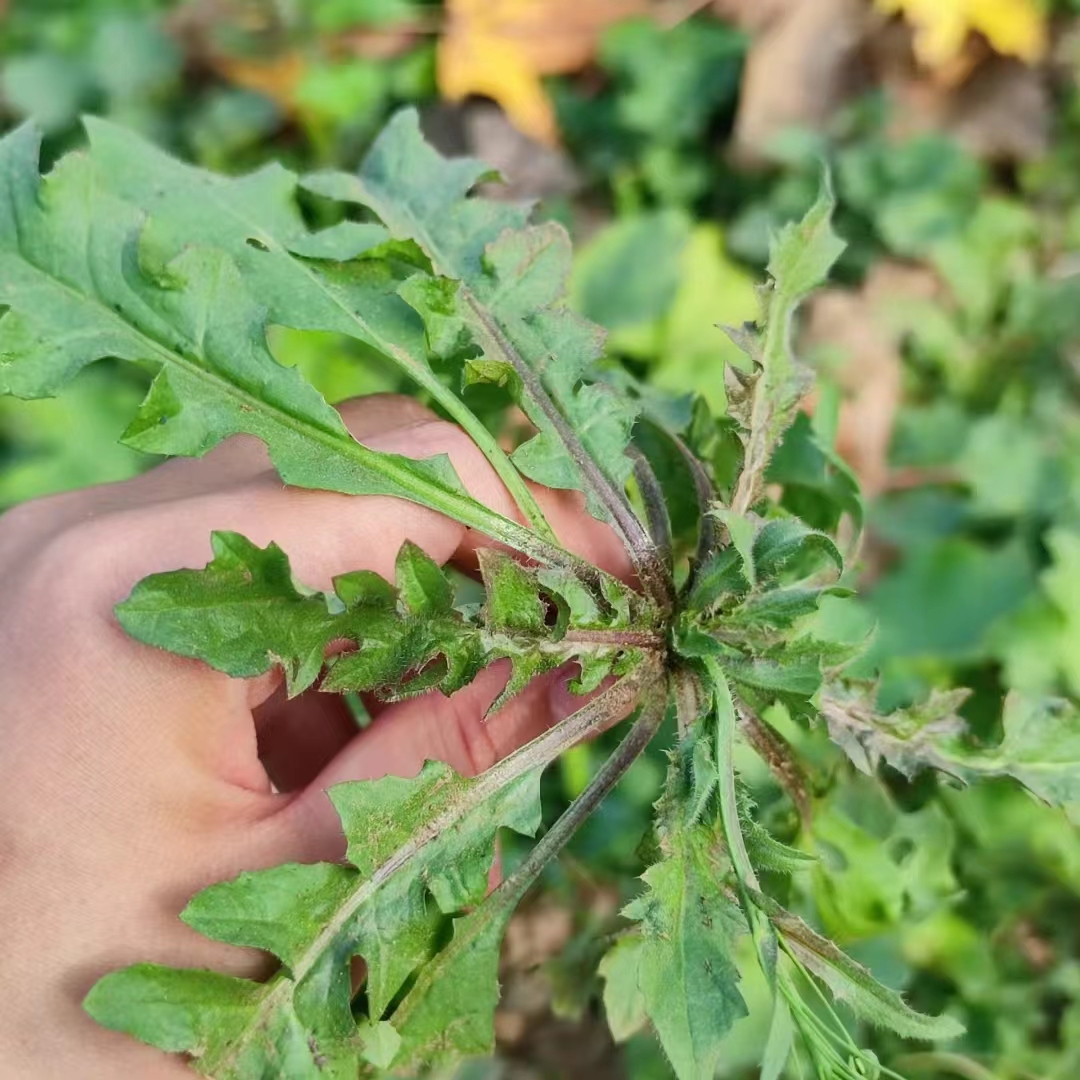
(502, 49)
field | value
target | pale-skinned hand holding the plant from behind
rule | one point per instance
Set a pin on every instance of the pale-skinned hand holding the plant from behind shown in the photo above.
(130, 779)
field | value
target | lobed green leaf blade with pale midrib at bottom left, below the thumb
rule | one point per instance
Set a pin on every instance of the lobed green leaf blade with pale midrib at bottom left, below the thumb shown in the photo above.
(411, 843)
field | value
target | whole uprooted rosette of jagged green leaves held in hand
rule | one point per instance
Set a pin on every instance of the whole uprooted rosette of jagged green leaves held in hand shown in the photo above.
(124, 252)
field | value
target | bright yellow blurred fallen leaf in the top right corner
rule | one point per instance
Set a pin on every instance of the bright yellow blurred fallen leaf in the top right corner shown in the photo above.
(1014, 28)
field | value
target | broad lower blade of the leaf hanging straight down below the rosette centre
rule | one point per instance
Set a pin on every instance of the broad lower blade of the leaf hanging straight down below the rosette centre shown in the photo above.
(686, 974)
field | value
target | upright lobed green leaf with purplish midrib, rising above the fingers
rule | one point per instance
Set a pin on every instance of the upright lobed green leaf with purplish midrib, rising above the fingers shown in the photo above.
(511, 282)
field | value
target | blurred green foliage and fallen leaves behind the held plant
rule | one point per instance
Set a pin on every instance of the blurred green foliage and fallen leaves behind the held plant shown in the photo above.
(672, 138)
